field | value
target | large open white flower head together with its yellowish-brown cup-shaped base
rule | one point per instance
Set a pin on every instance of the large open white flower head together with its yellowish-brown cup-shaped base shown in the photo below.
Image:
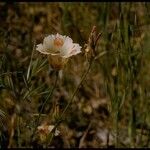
(58, 48)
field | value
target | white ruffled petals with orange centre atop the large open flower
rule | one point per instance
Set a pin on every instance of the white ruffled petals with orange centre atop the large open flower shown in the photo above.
(59, 45)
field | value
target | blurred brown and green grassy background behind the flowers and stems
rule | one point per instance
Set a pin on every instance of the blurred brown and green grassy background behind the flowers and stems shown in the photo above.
(112, 106)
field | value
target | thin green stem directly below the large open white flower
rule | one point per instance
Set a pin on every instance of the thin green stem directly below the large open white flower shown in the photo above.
(43, 105)
